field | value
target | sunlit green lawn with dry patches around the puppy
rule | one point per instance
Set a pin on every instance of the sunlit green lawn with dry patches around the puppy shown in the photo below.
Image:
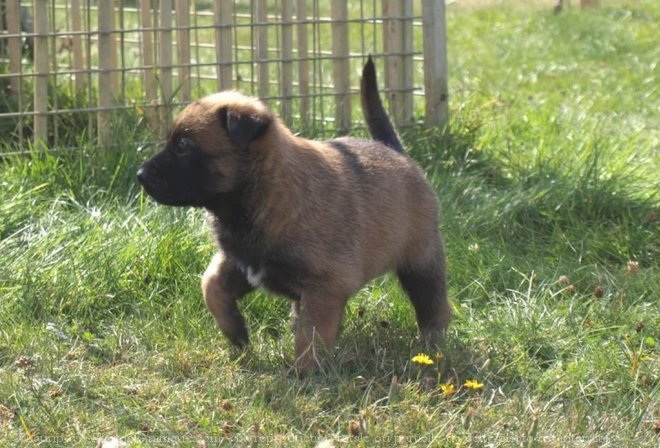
(550, 171)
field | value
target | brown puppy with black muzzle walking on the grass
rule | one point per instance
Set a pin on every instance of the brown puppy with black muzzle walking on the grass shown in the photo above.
(310, 220)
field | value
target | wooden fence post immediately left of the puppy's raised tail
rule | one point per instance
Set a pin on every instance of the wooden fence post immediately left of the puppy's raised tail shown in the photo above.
(341, 65)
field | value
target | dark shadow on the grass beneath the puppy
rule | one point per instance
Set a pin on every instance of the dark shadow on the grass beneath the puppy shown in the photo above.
(373, 347)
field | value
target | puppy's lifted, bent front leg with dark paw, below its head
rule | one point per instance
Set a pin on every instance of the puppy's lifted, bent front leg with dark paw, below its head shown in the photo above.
(223, 283)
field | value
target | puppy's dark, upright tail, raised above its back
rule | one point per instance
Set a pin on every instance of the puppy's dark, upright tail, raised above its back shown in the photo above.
(379, 124)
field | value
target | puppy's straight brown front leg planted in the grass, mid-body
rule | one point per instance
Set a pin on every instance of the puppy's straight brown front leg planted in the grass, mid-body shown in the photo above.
(316, 329)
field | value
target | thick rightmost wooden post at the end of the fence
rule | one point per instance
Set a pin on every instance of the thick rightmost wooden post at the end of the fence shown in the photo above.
(435, 63)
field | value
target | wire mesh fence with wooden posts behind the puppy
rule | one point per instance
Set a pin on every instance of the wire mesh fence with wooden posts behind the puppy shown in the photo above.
(69, 66)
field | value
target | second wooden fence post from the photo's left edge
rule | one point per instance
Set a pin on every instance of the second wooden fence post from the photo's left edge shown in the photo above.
(41, 71)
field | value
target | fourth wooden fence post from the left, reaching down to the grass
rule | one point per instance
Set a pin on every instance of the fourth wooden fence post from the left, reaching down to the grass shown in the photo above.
(105, 12)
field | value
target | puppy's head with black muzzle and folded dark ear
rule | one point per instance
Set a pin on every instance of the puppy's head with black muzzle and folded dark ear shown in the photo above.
(208, 150)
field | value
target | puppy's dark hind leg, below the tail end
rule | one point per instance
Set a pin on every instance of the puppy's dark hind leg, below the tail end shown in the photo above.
(426, 286)
